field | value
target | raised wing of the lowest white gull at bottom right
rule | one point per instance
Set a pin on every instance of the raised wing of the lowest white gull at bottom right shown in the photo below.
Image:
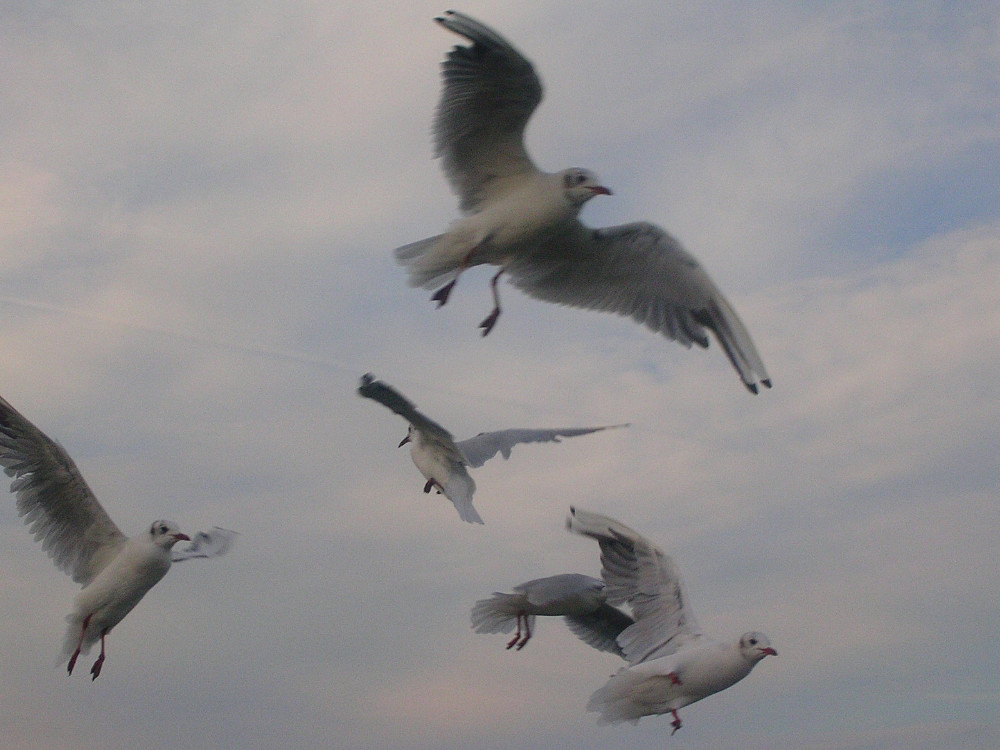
(637, 572)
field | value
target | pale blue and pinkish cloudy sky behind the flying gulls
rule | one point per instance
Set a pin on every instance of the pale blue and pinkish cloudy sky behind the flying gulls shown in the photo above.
(198, 204)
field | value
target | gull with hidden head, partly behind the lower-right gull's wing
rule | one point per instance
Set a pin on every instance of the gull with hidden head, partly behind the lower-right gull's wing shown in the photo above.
(578, 598)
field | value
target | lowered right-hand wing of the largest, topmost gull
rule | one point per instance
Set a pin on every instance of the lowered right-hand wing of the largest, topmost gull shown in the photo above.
(640, 271)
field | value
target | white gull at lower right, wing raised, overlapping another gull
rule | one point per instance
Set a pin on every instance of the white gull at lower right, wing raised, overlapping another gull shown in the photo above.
(671, 663)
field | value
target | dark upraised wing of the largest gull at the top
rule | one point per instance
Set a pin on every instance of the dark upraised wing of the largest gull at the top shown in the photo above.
(489, 92)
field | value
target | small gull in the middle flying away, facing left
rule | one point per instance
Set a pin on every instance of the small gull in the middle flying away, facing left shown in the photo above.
(444, 462)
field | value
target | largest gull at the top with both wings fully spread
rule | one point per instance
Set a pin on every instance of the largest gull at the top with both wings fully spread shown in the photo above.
(525, 221)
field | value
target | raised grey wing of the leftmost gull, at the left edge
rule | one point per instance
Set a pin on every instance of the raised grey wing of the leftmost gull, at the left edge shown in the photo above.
(54, 499)
